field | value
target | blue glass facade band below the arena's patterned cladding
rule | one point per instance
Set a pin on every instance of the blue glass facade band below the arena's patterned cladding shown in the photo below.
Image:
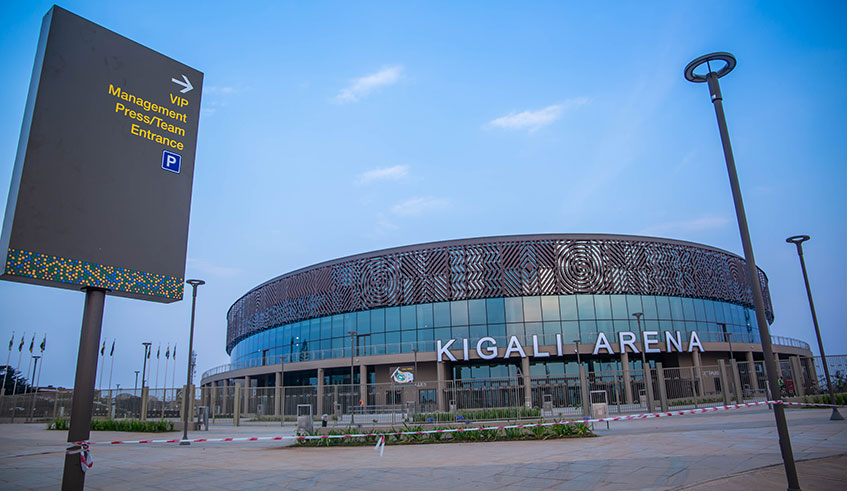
(404, 329)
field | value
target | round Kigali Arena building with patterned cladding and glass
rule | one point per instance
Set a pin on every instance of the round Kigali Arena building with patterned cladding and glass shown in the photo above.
(513, 310)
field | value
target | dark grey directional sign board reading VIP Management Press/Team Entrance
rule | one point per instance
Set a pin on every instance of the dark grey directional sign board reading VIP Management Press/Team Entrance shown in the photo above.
(101, 187)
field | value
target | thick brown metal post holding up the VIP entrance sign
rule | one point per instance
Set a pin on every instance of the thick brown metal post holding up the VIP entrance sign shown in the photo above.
(83, 398)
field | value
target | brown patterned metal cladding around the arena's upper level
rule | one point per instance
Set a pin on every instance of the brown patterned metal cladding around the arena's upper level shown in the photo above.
(495, 267)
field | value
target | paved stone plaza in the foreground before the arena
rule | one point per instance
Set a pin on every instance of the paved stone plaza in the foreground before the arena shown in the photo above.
(727, 450)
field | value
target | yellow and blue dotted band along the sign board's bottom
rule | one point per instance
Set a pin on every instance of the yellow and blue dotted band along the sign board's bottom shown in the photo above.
(73, 271)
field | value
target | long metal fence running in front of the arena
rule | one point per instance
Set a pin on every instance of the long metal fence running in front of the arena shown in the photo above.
(612, 392)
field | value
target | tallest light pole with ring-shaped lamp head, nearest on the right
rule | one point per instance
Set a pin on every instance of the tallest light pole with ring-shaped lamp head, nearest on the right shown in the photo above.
(711, 79)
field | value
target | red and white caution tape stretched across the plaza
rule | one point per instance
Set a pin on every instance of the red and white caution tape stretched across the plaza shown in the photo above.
(381, 436)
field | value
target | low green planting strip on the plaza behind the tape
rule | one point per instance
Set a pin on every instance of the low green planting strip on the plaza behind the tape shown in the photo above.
(563, 430)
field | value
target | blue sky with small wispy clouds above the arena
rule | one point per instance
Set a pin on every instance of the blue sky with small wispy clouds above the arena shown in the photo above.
(333, 128)
